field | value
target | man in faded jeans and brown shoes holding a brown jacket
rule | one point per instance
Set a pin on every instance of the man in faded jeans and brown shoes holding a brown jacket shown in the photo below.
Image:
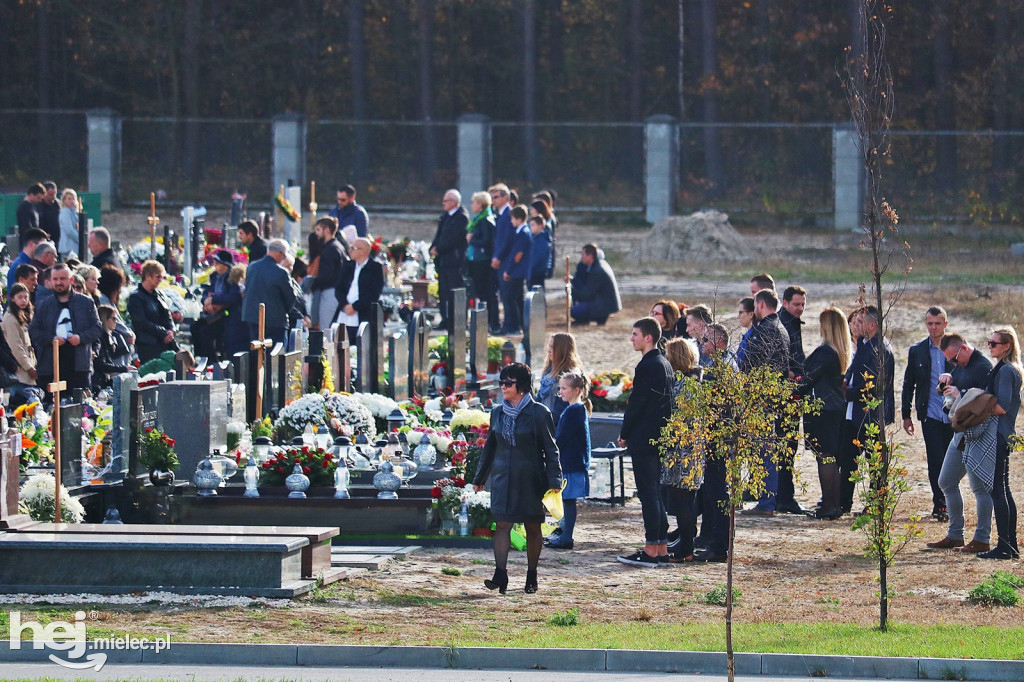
(970, 370)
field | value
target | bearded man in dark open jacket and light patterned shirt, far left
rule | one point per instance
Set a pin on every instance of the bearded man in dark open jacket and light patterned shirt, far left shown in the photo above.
(72, 319)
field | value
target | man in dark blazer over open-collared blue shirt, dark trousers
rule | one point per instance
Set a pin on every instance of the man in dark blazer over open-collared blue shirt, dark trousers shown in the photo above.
(926, 363)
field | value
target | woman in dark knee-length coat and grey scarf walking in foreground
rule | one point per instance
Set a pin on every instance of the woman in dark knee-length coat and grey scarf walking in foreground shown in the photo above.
(522, 459)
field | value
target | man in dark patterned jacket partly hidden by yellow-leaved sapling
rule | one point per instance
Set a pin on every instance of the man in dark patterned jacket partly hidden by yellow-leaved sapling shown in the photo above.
(769, 345)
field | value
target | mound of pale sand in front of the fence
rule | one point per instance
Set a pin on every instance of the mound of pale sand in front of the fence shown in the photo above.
(703, 237)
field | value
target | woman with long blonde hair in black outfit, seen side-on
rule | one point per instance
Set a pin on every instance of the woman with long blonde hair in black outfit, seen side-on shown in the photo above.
(823, 380)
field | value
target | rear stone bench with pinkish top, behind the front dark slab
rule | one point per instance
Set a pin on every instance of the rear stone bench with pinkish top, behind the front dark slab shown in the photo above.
(316, 556)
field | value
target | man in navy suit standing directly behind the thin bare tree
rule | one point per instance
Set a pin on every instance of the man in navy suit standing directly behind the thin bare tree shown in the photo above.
(865, 368)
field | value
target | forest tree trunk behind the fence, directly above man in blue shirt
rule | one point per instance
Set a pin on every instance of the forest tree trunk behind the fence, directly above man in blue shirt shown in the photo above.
(946, 118)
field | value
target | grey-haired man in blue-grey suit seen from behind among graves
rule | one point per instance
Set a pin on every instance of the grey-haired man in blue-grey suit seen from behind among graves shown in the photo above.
(268, 282)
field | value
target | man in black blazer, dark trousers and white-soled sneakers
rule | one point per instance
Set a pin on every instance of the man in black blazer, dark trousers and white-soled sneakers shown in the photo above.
(647, 413)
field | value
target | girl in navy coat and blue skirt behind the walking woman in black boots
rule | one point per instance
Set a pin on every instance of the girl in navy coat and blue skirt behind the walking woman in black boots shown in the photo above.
(573, 438)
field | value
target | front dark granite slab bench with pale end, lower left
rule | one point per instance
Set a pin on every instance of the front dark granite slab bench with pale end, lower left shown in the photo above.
(114, 564)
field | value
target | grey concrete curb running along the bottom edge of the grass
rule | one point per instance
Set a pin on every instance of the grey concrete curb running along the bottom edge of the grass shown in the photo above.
(633, 661)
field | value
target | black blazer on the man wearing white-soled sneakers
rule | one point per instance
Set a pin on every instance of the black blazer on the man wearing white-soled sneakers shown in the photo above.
(651, 404)
